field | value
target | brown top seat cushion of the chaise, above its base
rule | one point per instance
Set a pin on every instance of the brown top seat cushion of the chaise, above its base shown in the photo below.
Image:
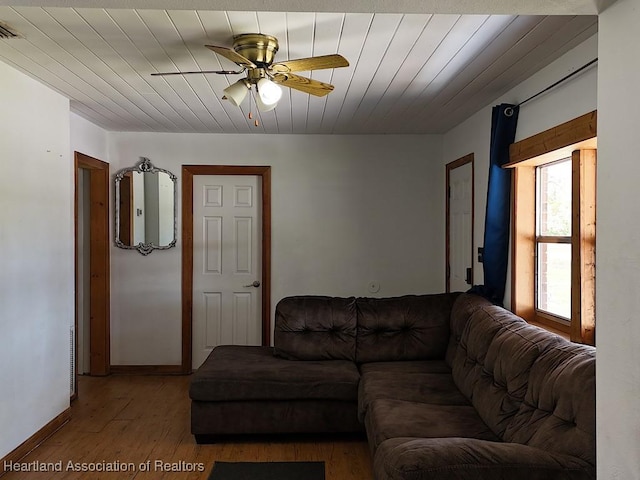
(233, 372)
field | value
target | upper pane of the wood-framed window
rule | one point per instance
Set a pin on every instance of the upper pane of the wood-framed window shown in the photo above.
(554, 199)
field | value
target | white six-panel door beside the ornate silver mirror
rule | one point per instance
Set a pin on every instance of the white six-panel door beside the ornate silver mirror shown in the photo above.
(227, 264)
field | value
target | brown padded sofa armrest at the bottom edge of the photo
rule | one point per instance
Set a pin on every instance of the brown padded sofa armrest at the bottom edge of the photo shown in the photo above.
(472, 459)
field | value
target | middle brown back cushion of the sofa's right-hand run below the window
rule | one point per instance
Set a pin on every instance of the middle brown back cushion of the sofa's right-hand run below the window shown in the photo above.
(493, 363)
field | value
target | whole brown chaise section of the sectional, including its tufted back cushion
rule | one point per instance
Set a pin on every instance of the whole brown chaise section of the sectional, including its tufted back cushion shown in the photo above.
(308, 383)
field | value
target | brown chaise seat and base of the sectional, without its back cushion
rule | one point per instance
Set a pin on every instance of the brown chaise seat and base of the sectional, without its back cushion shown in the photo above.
(242, 390)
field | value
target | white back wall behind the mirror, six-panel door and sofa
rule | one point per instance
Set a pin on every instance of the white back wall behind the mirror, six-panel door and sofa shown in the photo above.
(346, 210)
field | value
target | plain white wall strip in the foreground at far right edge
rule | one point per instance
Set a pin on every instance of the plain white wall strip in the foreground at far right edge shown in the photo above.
(618, 244)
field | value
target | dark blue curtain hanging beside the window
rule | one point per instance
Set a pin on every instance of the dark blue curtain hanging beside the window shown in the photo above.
(497, 220)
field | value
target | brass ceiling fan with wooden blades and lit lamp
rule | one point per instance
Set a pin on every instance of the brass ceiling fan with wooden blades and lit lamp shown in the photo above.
(254, 53)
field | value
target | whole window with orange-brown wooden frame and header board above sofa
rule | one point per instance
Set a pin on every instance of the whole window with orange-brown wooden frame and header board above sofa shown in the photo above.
(553, 263)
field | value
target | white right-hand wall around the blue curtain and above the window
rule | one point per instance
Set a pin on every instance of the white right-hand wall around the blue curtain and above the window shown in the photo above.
(570, 100)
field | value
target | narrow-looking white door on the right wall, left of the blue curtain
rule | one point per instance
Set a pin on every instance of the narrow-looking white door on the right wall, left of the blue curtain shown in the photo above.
(460, 213)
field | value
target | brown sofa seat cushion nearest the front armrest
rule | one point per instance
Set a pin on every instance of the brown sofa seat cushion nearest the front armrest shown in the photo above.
(389, 418)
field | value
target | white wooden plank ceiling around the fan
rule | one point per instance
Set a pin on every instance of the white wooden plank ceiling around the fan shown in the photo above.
(408, 73)
